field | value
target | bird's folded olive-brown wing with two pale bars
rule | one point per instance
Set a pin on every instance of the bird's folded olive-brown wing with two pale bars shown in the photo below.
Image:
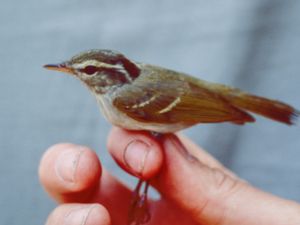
(176, 102)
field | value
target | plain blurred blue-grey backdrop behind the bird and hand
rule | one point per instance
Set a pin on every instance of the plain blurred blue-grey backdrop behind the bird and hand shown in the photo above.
(253, 45)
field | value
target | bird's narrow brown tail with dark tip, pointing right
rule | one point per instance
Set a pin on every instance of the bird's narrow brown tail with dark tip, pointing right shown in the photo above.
(271, 109)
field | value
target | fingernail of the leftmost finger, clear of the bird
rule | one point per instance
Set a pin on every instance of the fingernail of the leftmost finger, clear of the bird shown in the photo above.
(67, 162)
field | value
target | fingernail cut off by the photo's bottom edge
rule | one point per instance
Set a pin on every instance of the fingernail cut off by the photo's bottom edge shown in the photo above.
(78, 216)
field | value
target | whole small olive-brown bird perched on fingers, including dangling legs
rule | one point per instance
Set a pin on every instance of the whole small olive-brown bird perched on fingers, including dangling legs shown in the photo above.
(138, 96)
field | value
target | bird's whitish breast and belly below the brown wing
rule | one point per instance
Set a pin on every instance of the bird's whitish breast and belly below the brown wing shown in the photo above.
(120, 119)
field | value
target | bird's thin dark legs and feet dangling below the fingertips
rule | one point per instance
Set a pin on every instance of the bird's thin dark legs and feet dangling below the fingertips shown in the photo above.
(139, 212)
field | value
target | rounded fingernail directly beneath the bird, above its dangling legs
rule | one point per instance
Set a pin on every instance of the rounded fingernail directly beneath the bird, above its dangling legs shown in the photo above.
(135, 155)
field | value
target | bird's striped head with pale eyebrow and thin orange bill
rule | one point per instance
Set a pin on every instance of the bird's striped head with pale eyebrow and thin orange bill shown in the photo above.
(100, 70)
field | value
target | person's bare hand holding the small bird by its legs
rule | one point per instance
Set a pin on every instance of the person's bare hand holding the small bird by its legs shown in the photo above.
(194, 187)
